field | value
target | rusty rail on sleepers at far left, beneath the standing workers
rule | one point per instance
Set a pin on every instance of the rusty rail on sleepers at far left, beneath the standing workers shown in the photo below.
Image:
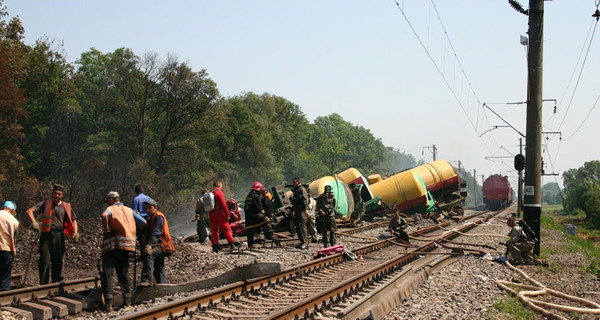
(21, 295)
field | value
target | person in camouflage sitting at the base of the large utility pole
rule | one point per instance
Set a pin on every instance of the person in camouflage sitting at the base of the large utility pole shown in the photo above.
(521, 242)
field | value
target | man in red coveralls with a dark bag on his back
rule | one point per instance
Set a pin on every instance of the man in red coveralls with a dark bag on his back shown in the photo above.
(218, 218)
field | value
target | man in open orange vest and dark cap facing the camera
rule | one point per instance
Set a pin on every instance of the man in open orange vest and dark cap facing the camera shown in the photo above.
(58, 219)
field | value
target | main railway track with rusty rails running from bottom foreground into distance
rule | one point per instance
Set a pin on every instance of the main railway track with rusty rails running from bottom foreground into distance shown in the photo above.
(334, 286)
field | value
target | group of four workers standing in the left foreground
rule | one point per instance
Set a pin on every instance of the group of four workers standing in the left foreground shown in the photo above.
(123, 228)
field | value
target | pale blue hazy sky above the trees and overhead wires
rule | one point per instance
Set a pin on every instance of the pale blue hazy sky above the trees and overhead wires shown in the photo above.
(362, 60)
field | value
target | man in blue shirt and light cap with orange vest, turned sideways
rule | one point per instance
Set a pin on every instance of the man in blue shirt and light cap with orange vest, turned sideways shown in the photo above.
(157, 245)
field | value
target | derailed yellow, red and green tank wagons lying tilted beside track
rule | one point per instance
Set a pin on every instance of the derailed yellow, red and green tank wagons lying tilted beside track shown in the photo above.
(432, 187)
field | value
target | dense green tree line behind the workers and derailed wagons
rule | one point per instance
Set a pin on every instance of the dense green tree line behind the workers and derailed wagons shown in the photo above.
(111, 120)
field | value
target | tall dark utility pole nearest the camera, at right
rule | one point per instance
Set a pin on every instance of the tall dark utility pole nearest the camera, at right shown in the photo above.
(532, 207)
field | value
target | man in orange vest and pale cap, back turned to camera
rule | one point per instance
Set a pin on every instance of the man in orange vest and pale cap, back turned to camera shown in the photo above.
(119, 224)
